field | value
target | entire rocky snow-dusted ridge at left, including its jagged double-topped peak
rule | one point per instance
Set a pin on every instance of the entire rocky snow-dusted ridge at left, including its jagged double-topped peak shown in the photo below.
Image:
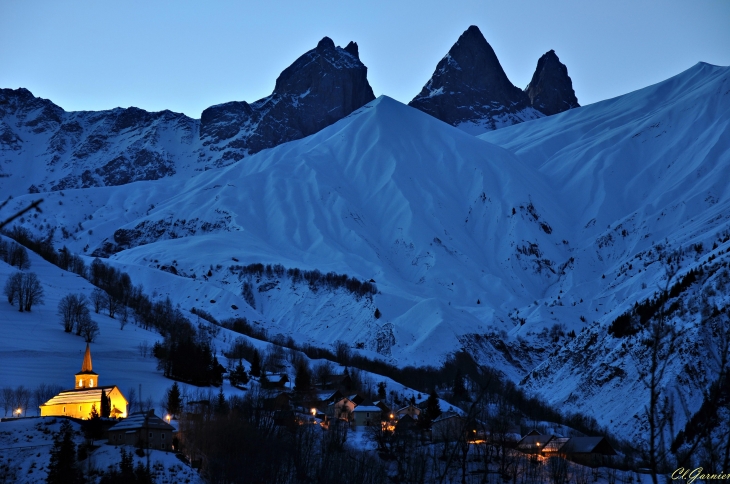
(44, 148)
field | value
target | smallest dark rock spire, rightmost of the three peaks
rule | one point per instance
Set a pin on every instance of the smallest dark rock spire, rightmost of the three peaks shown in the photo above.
(551, 90)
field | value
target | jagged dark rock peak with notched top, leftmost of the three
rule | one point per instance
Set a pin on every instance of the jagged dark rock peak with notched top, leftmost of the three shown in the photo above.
(321, 87)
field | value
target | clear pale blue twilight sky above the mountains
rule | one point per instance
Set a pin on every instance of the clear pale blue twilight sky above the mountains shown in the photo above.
(185, 56)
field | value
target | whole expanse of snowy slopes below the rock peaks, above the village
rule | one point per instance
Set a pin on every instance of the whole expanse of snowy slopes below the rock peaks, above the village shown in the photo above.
(502, 244)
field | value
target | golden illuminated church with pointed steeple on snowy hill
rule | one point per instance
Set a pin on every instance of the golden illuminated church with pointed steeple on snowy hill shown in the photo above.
(77, 403)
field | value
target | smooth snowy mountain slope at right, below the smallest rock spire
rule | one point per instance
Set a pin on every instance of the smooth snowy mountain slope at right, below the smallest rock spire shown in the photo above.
(652, 167)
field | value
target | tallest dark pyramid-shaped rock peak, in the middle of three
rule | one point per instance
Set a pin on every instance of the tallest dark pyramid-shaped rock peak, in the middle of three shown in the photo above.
(470, 90)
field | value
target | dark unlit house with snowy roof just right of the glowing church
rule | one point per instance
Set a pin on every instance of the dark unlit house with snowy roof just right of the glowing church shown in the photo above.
(143, 428)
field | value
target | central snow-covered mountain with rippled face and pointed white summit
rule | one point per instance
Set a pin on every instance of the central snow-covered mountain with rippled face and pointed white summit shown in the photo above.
(387, 193)
